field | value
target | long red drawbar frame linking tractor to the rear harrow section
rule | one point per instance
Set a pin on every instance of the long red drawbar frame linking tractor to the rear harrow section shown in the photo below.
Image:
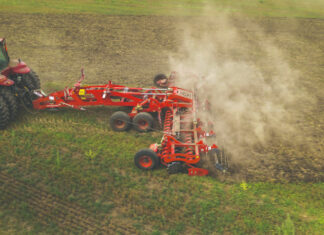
(141, 99)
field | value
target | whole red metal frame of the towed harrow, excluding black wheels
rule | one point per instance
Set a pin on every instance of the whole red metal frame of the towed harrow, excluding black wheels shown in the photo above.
(183, 139)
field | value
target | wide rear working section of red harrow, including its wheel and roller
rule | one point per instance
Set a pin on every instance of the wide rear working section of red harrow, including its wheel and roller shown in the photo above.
(183, 144)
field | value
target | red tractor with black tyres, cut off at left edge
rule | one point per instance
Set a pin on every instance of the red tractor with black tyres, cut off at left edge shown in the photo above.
(17, 82)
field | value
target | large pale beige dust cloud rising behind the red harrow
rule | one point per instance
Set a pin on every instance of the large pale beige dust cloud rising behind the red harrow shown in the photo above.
(252, 90)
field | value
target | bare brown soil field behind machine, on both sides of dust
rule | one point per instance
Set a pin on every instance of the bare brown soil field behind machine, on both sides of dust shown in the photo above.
(130, 50)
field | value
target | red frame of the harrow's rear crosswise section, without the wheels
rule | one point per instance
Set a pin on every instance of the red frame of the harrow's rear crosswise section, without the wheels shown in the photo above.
(183, 140)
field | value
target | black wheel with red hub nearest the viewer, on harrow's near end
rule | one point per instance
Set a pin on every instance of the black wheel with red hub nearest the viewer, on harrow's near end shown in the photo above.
(146, 159)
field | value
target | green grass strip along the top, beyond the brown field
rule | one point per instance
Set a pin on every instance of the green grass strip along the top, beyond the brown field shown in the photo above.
(273, 8)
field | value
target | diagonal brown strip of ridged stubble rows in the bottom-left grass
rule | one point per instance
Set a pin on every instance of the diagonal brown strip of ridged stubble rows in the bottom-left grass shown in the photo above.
(69, 217)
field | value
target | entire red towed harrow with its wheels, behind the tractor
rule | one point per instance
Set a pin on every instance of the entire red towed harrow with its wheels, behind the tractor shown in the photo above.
(184, 141)
